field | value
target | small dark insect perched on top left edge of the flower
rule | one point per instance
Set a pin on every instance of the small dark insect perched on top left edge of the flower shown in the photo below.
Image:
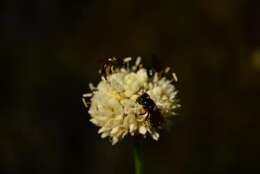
(112, 65)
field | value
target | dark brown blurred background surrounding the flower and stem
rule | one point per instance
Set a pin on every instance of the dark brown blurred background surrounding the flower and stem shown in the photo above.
(50, 51)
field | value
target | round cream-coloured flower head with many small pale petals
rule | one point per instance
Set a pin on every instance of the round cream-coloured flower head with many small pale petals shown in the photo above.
(113, 103)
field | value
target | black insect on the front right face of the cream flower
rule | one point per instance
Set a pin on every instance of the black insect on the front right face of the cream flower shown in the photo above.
(154, 114)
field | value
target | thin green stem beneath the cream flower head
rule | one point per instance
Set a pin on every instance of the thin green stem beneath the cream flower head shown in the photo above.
(138, 158)
